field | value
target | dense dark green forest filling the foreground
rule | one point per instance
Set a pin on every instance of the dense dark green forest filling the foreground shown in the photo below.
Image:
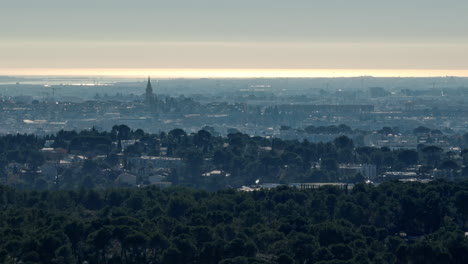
(392, 223)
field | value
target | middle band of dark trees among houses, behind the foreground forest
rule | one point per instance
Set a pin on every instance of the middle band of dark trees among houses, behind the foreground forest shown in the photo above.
(241, 156)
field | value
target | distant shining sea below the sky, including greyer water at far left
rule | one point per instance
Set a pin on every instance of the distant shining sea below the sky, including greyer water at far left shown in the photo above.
(99, 77)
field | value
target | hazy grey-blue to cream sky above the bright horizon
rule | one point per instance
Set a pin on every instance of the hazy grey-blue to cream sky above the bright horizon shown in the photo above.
(300, 34)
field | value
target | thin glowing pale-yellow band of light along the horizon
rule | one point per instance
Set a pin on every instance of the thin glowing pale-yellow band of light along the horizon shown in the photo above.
(190, 73)
